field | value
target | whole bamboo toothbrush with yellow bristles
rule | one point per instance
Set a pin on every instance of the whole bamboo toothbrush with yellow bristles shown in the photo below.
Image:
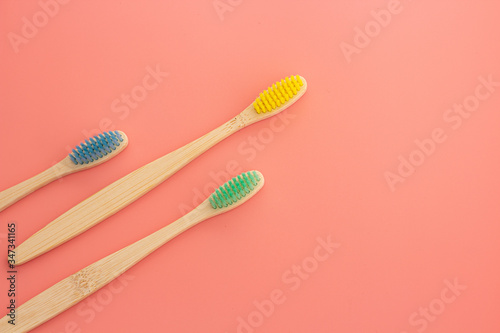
(131, 187)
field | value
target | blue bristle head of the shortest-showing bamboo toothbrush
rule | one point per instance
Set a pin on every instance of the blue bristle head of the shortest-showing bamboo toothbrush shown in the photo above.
(96, 147)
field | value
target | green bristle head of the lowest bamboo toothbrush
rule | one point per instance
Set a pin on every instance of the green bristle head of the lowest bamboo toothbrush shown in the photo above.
(234, 190)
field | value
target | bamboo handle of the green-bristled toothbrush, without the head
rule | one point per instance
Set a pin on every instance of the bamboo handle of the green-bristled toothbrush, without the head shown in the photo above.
(83, 283)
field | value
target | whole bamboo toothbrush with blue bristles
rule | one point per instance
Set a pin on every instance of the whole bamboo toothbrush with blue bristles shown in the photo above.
(93, 152)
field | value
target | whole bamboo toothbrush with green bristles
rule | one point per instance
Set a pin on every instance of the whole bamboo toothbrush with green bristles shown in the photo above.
(83, 283)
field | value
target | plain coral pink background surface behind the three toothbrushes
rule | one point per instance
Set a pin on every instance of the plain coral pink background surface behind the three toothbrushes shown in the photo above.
(325, 167)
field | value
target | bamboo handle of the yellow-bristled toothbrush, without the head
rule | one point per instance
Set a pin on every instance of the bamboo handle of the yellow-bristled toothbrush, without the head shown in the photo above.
(120, 194)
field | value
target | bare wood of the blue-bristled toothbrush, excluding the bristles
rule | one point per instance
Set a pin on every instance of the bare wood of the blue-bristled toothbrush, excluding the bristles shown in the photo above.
(15, 193)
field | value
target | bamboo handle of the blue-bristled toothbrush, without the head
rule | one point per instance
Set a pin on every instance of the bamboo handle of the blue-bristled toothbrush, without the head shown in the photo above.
(11, 195)
